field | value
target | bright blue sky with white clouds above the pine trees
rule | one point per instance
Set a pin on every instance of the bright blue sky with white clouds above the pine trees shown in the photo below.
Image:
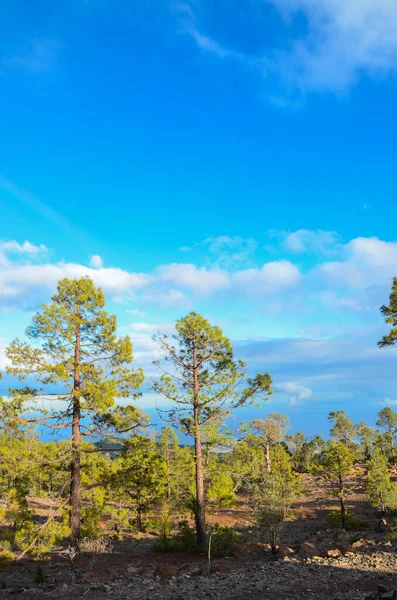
(237, 158)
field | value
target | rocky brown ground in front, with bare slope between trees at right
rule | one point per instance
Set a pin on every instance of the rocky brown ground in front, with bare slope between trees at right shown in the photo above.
(316, 563)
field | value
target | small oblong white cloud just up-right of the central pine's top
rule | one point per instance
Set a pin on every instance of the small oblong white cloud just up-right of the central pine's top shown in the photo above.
(272, 277)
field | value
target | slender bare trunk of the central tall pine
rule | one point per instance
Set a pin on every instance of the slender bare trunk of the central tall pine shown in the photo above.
(198, 451)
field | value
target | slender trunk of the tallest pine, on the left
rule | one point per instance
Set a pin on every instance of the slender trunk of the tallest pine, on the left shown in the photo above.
(75, 475)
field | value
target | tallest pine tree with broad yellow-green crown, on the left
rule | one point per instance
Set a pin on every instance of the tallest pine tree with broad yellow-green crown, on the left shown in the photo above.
(74, 349)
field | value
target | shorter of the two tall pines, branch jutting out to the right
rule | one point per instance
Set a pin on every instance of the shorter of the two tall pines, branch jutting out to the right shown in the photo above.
(204, 384)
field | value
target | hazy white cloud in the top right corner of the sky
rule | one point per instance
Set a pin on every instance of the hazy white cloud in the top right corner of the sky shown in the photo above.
(343, 39)
